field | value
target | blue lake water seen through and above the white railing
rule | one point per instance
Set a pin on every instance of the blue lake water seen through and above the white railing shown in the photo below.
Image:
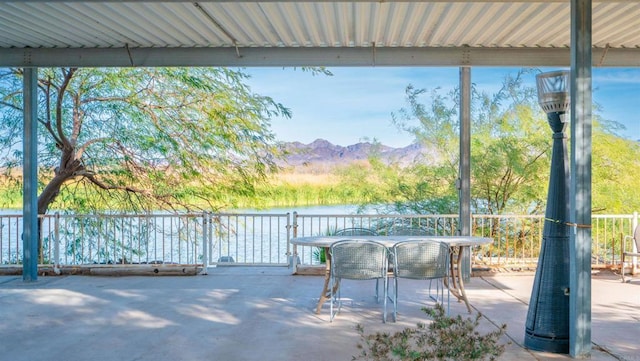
(256, 238)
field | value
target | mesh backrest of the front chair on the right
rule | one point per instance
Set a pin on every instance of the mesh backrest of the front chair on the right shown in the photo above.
(421, 259)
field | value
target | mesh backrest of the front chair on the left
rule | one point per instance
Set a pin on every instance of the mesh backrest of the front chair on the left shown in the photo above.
(358, 259)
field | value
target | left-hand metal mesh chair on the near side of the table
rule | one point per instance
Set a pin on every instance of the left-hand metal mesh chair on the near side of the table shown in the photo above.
(357, 260)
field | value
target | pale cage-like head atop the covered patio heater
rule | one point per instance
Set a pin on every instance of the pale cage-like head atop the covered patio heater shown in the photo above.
(553, 91)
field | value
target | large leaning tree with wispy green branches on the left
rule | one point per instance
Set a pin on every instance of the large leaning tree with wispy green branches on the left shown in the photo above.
(141, 138)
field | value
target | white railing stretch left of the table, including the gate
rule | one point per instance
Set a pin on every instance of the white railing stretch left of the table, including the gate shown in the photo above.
(198, 238)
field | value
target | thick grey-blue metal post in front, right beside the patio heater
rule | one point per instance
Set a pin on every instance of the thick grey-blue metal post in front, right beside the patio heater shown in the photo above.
(580, 187)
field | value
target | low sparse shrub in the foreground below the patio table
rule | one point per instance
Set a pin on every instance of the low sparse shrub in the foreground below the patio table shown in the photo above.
(444, 338)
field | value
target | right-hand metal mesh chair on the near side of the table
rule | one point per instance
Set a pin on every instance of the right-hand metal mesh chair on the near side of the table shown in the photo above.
(421, 260)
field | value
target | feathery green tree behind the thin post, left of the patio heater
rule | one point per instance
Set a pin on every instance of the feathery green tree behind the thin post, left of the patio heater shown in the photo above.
(509, 151)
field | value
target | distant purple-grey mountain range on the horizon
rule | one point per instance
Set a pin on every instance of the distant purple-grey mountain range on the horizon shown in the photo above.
(323, 154)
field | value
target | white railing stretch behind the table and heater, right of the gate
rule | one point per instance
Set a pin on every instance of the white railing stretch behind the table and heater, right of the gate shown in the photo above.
(517, 238)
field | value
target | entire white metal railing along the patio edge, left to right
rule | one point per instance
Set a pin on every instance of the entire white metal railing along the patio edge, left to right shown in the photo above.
(263, 239)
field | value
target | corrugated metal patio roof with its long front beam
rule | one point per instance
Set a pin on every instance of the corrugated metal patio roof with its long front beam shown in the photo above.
(244, 33)
